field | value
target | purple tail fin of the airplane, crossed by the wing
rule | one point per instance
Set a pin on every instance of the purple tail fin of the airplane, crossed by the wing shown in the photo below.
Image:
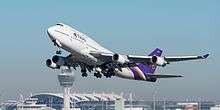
(150, 68)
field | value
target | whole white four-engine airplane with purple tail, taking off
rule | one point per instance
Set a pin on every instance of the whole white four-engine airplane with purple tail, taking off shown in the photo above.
(90, 56)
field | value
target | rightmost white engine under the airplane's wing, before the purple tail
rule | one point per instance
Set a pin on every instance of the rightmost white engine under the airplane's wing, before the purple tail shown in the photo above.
(160, 61)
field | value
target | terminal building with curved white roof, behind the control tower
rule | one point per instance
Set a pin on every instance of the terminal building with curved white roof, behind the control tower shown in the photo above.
(82, 101)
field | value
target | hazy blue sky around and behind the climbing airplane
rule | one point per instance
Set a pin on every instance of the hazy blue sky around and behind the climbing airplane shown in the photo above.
(128, 27)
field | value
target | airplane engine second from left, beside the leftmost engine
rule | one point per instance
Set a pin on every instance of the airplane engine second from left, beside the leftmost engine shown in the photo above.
(59, 60)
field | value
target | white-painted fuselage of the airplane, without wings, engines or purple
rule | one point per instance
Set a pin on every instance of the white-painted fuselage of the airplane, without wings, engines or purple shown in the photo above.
(80, 46)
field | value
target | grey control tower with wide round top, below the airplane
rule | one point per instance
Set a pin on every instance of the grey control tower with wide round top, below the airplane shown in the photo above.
(66, 79)
